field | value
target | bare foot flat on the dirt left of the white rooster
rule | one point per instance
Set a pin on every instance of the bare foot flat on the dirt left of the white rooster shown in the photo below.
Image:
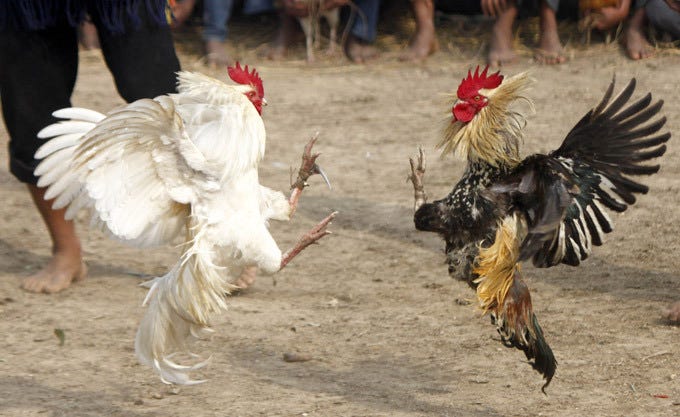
(57, 275)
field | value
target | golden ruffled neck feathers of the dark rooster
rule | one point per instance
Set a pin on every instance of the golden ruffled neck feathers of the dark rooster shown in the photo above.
(495, 133)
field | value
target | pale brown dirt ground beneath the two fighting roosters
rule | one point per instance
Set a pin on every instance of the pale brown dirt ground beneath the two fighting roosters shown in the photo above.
(387, 331)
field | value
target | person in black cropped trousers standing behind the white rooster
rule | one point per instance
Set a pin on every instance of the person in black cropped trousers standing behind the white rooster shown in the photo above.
(38, 67)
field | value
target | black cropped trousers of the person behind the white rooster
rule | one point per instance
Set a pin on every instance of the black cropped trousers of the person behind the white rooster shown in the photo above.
(38, 72)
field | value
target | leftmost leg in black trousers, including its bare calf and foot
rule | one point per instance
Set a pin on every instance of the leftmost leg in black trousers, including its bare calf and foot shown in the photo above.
(37, 75)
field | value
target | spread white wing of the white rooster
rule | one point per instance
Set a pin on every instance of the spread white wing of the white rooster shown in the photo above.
(136, 168)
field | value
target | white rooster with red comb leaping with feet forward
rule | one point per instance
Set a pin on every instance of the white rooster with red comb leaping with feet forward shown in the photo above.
(180, 163)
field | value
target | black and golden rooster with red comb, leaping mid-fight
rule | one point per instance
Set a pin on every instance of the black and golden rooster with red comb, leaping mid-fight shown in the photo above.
(547, 208)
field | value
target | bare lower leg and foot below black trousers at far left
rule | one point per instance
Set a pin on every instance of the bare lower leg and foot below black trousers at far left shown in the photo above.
(66, 265)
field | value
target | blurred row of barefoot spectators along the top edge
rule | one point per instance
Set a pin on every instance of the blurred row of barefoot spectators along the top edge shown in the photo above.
(639, 26)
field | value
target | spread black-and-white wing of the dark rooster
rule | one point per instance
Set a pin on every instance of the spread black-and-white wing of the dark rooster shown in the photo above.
(564, 195)
